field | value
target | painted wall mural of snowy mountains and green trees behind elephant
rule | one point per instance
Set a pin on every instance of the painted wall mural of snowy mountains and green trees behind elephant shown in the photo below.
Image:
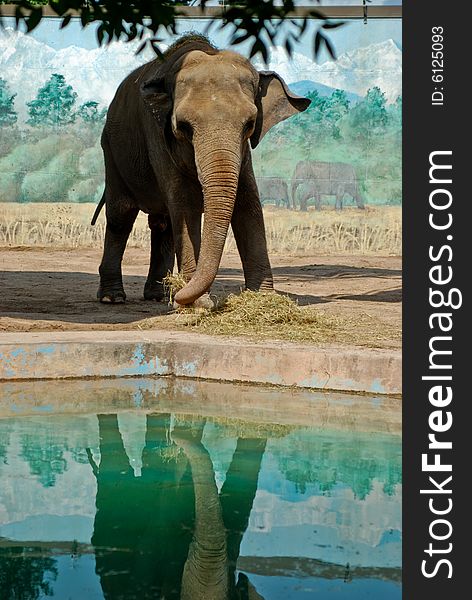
(55, 87)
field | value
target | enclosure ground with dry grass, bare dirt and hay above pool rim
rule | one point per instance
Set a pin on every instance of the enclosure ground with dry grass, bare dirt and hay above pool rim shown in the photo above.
(339, 274)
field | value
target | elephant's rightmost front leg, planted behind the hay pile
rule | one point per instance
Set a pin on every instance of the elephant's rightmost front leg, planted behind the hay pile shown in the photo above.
(249, 232)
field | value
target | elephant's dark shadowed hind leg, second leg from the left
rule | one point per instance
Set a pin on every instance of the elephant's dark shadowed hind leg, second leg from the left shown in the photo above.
(162, 256)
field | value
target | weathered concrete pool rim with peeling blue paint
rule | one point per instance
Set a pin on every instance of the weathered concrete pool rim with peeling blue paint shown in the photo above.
(59, 355)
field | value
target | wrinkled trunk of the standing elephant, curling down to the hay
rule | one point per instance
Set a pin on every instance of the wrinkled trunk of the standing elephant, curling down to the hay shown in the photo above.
(218, 170)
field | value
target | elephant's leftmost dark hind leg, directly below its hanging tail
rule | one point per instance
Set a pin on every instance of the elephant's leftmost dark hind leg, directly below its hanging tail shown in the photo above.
(111, 289)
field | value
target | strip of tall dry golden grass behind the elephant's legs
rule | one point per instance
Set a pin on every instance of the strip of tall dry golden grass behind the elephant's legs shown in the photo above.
(373, 231)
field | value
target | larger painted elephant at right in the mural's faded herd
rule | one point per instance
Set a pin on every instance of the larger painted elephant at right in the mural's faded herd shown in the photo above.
(314, 179)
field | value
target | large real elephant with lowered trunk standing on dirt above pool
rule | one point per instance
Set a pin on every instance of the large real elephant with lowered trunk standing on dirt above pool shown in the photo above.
(176, 145)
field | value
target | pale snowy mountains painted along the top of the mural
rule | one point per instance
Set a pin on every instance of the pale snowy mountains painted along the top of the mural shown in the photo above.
(26, 64)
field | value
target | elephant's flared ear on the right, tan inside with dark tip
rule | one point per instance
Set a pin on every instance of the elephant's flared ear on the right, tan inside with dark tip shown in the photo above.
(275, 103)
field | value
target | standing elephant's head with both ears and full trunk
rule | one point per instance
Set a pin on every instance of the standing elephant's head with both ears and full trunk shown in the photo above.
(211, 104)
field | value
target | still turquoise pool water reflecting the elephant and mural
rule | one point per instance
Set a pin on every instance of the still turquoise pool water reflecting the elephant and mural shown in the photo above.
(141, 489)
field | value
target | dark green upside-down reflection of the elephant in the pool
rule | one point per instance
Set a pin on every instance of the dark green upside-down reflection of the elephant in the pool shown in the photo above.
(169, 534)
